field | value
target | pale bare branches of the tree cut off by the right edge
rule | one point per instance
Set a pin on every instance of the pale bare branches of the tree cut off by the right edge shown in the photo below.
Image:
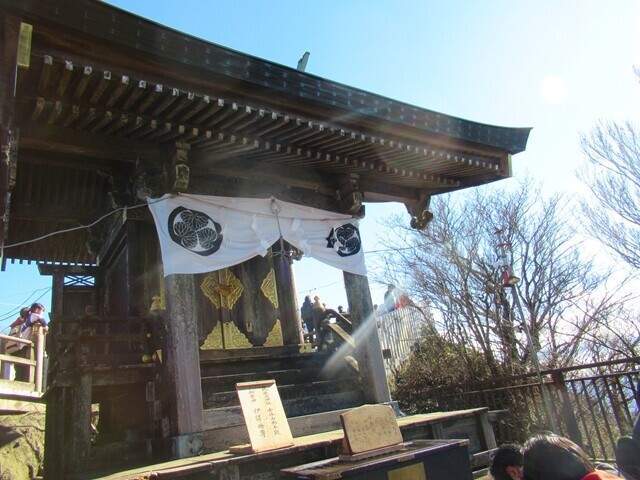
(612, 212)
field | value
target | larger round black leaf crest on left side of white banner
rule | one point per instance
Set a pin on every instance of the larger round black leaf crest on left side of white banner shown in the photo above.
(195, 231)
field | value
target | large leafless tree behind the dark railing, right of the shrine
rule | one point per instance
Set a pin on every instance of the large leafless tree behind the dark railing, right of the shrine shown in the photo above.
(451, 267)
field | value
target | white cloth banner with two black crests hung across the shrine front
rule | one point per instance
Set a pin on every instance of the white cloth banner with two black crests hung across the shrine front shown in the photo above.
(200, 233)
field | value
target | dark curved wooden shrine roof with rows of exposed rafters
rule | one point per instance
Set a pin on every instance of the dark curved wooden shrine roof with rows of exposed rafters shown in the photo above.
(108, 97)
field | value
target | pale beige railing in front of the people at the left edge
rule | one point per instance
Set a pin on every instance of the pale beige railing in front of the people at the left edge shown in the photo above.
(32, 362)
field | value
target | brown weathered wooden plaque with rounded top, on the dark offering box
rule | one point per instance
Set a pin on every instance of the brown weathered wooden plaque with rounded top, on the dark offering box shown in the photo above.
(370, 427)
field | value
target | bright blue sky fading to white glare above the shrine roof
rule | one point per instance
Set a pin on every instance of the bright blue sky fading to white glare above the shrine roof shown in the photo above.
(559, 67)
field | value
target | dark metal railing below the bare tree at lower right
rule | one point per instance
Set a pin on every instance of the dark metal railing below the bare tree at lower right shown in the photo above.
(594, 404)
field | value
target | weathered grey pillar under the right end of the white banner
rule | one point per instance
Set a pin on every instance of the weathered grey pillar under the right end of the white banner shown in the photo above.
(365, 334)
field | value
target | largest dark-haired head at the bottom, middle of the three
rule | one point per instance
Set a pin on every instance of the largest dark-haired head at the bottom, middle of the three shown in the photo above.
(550, 457)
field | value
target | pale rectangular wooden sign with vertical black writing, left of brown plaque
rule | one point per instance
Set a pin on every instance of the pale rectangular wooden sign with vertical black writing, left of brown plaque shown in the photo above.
(264, 415)
